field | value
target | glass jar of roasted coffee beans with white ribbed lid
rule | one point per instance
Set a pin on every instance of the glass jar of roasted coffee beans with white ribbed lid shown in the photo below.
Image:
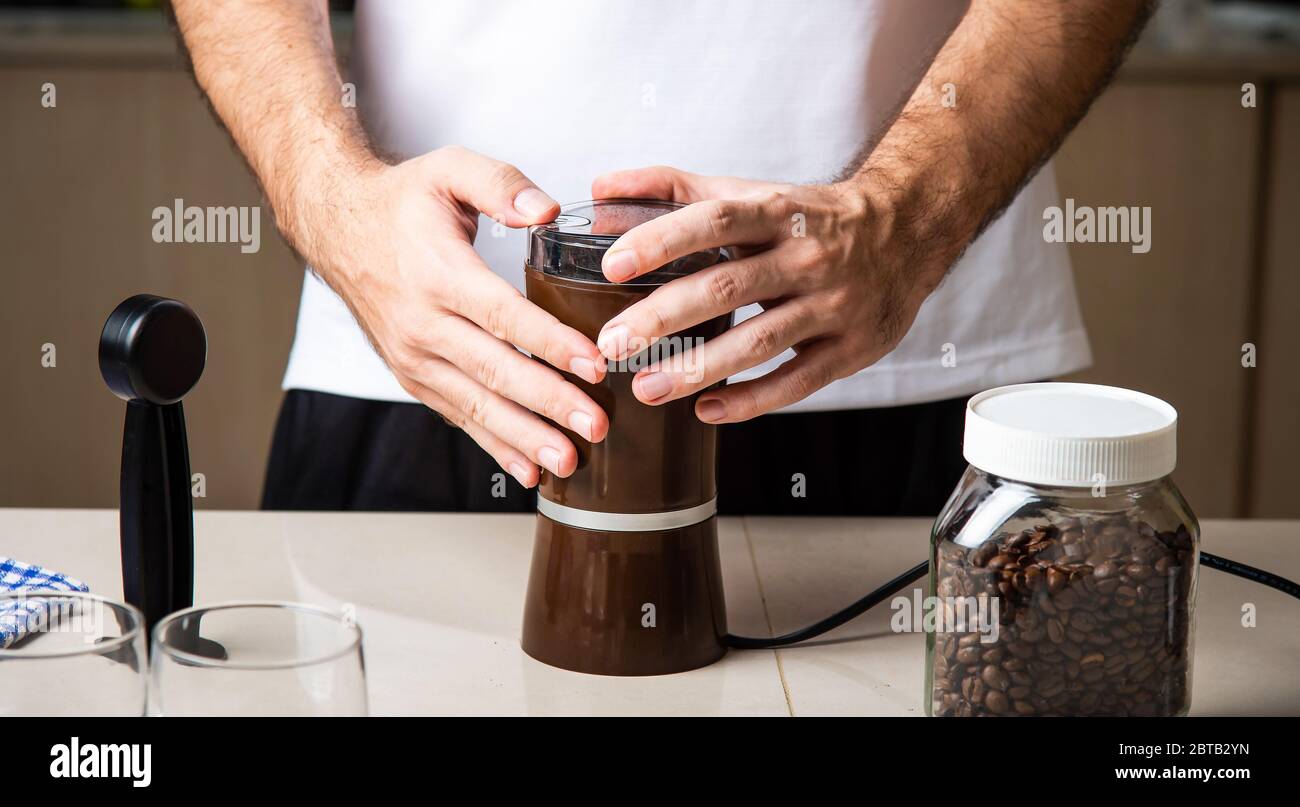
(1064, 566)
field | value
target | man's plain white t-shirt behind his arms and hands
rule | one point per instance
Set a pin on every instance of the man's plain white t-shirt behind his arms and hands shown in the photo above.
(783, 90)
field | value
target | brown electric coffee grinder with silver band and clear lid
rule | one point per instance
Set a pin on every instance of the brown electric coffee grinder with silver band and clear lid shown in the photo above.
(626, 576)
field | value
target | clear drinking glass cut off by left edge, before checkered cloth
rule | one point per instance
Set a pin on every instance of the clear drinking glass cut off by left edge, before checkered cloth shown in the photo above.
(83, 656)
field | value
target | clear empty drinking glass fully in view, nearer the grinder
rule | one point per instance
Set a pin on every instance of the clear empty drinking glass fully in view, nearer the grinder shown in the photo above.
(258, 658)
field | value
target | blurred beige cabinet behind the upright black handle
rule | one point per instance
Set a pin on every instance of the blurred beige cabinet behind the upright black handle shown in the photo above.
(80, 184)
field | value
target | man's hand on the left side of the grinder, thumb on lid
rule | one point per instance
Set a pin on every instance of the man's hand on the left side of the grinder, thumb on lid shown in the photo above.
(397, 244)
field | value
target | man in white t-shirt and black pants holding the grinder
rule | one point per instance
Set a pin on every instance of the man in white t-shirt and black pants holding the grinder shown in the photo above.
(889, 215)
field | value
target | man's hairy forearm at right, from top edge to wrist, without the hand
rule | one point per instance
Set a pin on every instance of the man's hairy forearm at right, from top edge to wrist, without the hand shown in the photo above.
(1007, 88)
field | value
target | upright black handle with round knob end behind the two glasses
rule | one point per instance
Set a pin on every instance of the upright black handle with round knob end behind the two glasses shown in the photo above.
(151, 353)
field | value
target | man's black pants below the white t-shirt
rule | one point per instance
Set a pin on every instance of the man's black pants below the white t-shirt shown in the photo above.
(336, 453)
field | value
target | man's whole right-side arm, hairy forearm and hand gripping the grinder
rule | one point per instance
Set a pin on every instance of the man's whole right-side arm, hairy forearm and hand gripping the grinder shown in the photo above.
(842, 270)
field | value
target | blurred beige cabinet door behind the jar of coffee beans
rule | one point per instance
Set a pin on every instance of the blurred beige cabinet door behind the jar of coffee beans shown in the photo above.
(1173, 322)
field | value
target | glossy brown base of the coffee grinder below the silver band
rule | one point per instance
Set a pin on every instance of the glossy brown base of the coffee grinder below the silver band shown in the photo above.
(619, 604)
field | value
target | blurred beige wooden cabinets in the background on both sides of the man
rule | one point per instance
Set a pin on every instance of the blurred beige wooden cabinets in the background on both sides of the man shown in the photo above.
(80, 181)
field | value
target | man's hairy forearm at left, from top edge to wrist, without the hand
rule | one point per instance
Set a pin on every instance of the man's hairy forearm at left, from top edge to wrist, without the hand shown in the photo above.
(270, 73)
